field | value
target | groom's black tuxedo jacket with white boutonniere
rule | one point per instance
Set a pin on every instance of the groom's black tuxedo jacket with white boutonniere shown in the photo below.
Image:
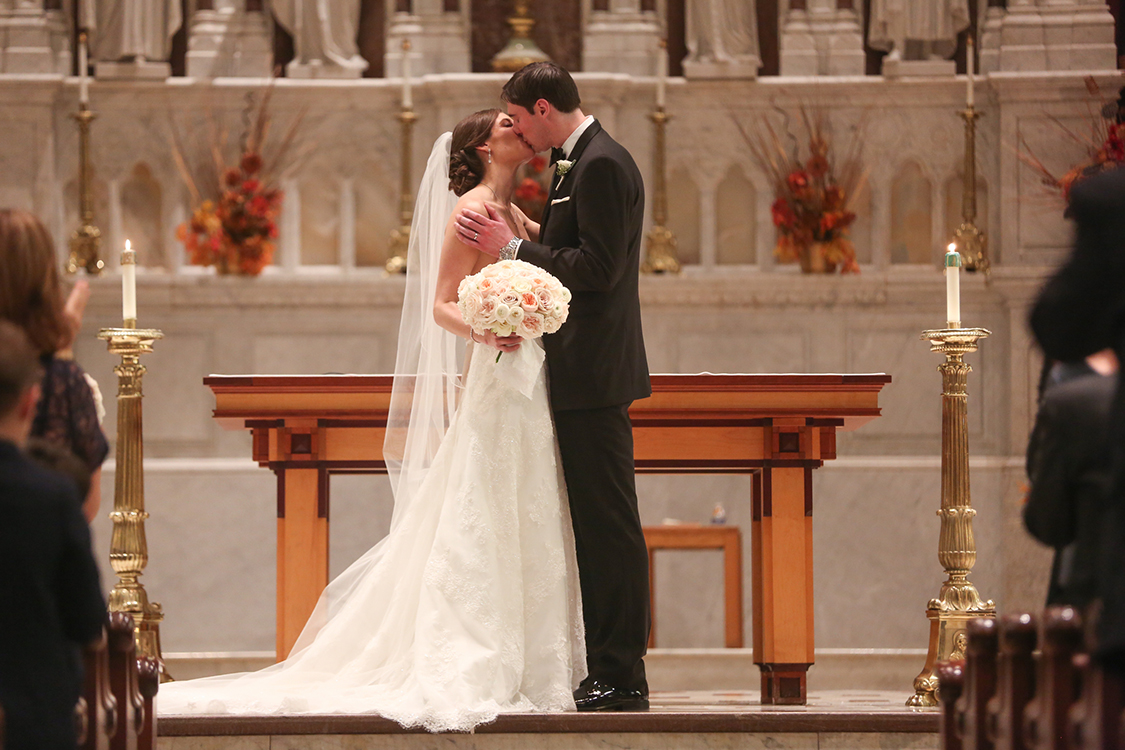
(590, 239)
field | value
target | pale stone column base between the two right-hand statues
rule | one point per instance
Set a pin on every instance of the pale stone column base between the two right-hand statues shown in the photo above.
(822, 38)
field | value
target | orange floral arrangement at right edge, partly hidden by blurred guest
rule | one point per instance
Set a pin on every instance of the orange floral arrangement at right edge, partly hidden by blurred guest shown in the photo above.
(1105, 144)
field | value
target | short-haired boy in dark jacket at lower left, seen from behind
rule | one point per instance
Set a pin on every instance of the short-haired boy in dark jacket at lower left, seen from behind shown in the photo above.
(49, 580)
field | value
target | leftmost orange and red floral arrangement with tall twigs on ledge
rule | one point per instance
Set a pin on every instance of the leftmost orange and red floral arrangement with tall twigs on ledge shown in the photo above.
(235, 224)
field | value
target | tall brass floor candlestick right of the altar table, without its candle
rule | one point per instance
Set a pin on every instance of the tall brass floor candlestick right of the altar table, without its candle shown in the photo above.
(958, 602)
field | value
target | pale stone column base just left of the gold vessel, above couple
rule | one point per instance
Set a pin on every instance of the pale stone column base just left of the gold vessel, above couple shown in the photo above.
(439, 35)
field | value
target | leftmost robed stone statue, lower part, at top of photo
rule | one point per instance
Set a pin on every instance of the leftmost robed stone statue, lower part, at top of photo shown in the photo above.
(132, 31)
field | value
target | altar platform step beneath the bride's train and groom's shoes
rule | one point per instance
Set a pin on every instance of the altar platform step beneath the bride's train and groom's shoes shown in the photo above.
(698, 720)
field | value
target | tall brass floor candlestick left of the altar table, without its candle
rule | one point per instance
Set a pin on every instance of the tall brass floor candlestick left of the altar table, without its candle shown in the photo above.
(129, 550)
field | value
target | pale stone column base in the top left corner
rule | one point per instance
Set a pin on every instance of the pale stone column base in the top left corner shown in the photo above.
(33, 39)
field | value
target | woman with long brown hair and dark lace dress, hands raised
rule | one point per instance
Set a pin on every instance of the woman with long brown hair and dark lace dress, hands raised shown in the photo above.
(31, 297)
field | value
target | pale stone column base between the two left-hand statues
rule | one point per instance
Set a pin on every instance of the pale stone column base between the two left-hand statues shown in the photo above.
(230, 39)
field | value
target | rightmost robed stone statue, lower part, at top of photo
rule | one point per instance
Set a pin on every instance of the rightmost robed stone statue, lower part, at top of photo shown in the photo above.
(917, 30)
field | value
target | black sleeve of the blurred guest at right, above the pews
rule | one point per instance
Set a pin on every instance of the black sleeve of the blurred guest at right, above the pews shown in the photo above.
(1050, 512)
